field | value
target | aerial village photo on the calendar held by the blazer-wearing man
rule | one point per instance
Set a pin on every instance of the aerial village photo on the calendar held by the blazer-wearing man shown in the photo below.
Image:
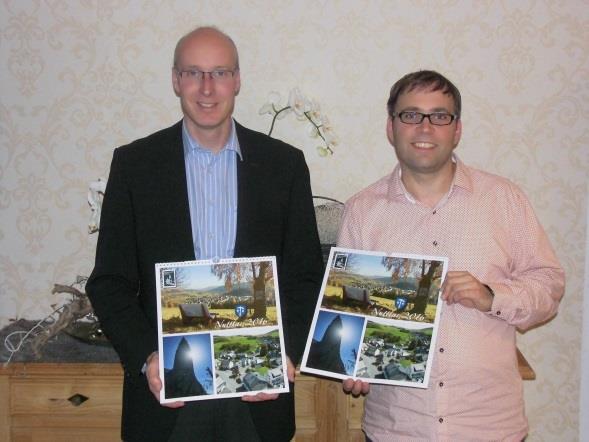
(248, 362)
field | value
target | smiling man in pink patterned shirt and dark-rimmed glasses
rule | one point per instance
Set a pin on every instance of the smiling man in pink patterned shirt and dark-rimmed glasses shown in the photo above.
(503, 273)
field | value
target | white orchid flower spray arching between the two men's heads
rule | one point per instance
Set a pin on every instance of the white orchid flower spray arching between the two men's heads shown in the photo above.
(305, 110)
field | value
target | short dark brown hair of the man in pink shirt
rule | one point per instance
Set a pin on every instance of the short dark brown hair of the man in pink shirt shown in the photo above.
(429, 80)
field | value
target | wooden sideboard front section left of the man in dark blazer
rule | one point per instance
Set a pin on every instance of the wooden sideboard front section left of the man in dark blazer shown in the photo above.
(60, 402)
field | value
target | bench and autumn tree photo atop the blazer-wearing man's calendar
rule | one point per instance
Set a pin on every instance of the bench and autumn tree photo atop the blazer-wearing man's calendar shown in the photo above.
(203, 297)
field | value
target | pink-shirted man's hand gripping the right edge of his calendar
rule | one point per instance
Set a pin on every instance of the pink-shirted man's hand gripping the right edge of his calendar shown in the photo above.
(465, 289)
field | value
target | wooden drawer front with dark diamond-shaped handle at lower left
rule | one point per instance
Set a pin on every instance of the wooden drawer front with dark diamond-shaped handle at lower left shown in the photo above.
(43, 401)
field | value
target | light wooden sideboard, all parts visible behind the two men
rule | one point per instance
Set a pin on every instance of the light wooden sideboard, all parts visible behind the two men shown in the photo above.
(52, 402)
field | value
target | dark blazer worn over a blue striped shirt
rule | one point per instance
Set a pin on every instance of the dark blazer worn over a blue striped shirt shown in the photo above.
(146, 219)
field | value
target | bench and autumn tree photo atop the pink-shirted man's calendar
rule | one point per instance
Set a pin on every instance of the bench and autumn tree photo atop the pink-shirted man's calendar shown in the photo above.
(390, 287)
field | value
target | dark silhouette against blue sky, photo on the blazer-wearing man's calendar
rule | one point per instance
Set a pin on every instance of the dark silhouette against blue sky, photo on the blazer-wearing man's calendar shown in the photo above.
(187, 366)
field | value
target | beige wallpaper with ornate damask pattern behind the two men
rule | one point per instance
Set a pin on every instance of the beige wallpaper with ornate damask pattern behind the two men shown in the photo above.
(81, 77)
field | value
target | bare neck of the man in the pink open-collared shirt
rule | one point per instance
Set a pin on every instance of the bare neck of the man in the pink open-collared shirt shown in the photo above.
(428, 188)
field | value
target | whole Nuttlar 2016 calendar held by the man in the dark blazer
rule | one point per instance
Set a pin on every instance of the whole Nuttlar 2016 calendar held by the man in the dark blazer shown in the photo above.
(220, 329)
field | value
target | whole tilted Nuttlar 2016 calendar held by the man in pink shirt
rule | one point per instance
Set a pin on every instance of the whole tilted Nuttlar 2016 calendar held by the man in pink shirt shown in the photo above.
(376, 318)
